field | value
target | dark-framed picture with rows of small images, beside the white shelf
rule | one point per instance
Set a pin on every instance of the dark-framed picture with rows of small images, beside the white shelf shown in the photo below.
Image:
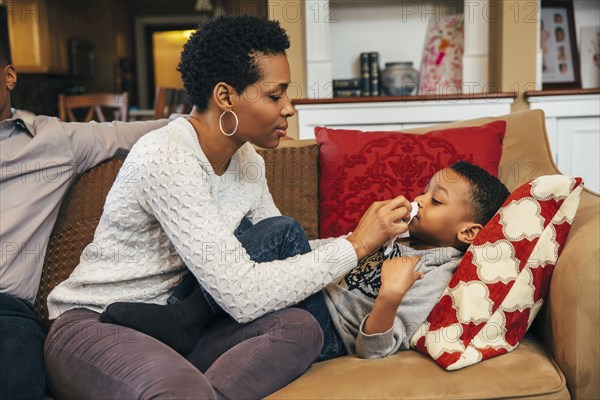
(560, 59)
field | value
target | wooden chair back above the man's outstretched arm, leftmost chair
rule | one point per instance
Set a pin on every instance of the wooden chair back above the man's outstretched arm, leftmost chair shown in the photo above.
(72, 107)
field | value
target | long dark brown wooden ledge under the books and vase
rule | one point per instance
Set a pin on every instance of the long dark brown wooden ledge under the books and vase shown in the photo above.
(418, 98)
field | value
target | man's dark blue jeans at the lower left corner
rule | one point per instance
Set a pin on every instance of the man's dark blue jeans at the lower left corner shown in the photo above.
(22, 373)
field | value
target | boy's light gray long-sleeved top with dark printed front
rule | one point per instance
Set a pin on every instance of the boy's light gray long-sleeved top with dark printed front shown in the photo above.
(351, 300)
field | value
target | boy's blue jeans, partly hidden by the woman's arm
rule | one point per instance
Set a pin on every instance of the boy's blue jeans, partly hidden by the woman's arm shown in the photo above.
(276, 238)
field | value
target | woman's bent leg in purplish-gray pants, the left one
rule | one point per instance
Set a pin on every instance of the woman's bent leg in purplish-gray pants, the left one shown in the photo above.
(86, 358)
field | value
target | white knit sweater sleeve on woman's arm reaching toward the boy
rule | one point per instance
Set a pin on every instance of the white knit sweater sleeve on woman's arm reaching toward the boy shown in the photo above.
(174, 189)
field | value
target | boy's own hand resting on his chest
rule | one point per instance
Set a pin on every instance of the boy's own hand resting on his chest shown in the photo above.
(397, 276)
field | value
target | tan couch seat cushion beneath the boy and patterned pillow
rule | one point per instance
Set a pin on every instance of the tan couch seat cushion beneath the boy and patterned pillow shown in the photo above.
(528, 372)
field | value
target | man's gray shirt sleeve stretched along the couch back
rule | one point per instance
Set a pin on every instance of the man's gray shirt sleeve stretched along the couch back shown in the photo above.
(94, 142)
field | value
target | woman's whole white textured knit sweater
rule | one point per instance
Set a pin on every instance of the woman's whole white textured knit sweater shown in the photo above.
(167, 210)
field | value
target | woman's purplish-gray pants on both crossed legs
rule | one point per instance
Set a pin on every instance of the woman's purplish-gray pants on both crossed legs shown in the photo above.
(88, 359)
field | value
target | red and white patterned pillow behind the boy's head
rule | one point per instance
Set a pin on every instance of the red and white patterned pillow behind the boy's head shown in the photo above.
(500, 284)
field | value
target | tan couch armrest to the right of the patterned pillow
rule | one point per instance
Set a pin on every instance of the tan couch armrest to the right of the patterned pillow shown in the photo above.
(569, 321)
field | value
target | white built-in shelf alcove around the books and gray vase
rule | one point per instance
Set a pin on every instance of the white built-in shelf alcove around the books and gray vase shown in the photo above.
(337, 32)
